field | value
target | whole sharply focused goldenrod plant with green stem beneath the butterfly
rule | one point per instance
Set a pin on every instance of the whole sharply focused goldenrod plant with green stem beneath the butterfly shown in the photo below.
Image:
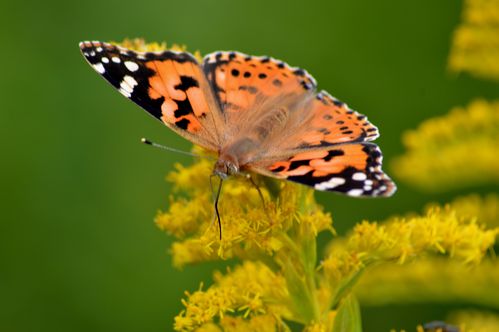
(279, 279)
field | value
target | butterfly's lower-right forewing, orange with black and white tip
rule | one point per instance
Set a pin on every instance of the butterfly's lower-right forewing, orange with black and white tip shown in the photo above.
(352, 169)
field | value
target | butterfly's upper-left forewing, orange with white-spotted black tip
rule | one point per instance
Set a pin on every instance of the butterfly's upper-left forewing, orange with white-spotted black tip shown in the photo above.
(168, 85)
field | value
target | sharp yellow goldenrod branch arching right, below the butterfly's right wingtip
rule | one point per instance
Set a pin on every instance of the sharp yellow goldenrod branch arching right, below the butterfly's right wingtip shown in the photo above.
(439, 231)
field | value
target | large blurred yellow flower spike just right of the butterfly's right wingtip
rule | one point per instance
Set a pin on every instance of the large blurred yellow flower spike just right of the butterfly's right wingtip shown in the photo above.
(452, 151)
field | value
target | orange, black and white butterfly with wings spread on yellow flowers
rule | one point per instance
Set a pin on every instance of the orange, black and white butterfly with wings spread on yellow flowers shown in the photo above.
(258, 113)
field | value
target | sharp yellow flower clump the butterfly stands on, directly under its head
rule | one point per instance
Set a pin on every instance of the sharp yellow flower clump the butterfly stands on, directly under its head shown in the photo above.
(249, 228)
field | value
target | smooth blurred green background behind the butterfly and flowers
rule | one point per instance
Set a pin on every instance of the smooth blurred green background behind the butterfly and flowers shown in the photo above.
(78, 247)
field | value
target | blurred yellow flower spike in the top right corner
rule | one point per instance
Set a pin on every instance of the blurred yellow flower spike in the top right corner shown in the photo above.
(475, 47)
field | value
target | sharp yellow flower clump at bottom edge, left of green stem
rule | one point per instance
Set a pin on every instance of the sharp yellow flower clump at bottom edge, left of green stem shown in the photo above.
(248, 296)
